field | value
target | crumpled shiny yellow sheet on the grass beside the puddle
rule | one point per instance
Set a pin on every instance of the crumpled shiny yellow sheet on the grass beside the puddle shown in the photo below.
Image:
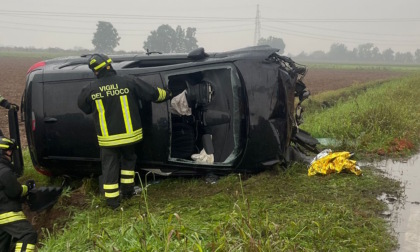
(329, 162)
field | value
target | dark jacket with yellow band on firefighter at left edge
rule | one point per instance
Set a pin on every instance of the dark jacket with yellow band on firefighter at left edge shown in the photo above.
(11, 192)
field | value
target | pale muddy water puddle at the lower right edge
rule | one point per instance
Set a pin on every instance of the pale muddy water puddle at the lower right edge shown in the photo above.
(405, 216)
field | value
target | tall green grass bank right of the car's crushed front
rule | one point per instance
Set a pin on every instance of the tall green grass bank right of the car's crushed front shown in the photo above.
(371, 118)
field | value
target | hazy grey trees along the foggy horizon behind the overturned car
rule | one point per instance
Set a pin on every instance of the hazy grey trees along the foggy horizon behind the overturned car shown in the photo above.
(166, 39)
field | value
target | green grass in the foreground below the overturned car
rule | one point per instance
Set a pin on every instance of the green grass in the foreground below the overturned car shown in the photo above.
(272, 211)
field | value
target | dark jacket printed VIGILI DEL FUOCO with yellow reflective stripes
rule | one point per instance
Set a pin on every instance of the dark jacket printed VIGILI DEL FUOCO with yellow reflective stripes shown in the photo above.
(114, 102)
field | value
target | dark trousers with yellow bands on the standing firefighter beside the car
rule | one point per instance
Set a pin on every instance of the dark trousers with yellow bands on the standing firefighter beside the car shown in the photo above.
(118, 164)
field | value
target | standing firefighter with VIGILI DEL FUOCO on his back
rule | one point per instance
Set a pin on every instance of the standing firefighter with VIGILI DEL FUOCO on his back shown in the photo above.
(114, 102)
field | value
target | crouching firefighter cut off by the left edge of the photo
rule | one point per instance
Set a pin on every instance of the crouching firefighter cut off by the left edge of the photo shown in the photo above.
(13, 223)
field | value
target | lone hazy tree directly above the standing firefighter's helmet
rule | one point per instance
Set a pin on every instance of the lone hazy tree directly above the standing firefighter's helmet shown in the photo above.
(105, 38)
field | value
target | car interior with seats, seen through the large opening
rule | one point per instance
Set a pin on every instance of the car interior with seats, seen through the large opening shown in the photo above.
(209, 97)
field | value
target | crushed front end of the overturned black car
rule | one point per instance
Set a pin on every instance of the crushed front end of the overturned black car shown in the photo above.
(273, 86)
